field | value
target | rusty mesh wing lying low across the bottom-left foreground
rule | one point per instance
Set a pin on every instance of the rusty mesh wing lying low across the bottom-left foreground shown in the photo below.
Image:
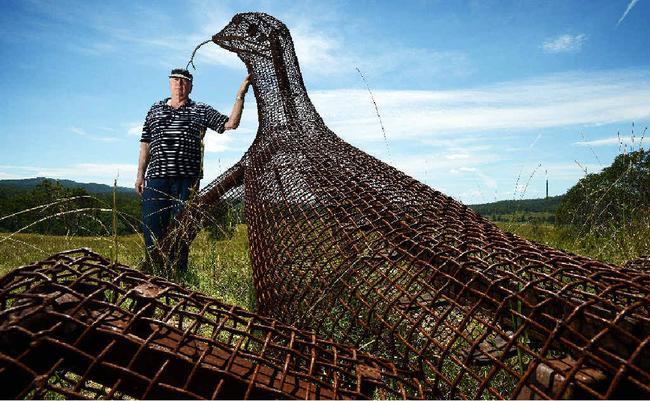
(78, 326)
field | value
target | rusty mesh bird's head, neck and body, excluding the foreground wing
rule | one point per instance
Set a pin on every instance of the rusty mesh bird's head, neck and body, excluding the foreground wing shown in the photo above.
(352, 248)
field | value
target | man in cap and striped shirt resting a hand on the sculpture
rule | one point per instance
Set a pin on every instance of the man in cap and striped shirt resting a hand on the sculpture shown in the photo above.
(171, 153)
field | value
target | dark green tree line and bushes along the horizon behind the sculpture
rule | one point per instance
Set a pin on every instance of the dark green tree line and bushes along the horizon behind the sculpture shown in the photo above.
(617, 197)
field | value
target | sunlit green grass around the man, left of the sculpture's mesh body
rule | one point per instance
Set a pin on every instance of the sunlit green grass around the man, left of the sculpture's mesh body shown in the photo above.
(220, 269)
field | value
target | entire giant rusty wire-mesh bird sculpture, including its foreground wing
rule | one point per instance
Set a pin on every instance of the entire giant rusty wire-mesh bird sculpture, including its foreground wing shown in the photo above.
(420, 296)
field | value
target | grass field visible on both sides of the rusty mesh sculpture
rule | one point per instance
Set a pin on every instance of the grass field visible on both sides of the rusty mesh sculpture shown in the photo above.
(222, 269)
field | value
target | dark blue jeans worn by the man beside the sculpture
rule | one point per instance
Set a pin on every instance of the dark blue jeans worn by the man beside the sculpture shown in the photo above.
(162, 200)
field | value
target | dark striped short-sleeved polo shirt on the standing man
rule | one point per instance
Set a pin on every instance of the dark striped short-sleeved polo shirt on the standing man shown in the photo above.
(175, 138)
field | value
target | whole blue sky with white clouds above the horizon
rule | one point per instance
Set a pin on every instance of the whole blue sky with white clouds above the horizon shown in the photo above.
(479, 99)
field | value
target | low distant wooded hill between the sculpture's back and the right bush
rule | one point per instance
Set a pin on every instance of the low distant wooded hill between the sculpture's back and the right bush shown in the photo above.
(504, 210)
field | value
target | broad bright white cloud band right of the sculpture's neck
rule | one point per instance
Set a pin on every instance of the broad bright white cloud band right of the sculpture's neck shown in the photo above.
(550, 101)
